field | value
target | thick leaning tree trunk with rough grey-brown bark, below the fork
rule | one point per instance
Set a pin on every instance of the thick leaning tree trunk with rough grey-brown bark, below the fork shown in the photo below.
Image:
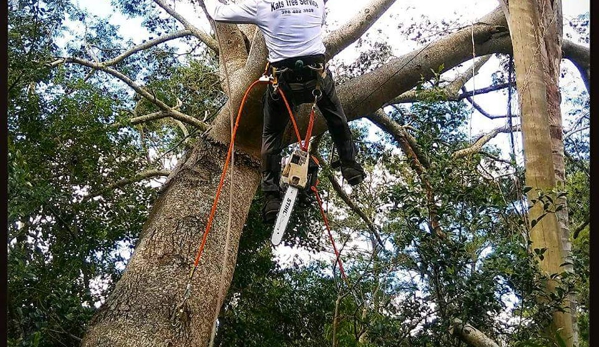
(142, 309)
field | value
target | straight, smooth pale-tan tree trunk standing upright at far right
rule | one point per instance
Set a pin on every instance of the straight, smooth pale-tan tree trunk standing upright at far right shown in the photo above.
(538, 95)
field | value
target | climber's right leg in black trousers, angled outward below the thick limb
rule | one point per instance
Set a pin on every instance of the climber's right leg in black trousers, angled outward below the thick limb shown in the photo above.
(331, 109)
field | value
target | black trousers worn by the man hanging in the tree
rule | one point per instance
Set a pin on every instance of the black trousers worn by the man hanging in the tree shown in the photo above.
(276, 118)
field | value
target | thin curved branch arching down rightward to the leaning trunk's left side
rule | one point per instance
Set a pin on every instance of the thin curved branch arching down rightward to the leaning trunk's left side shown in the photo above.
(141, 91)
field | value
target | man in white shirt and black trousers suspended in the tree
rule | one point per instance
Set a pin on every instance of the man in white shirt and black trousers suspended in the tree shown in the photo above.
(293, 35)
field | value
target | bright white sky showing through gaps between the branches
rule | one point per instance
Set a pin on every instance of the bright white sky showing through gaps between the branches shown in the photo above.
(403, 12)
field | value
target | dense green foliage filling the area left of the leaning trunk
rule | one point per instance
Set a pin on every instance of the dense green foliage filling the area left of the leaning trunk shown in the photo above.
(70, 234)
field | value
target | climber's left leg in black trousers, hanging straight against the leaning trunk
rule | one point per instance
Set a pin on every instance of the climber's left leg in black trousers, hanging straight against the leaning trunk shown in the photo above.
(275, 120)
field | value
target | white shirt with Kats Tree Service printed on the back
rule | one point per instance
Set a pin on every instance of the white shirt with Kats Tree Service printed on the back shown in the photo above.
(291, 28)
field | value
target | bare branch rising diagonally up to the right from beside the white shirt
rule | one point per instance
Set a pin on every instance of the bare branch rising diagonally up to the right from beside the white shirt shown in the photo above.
(356, 27)
